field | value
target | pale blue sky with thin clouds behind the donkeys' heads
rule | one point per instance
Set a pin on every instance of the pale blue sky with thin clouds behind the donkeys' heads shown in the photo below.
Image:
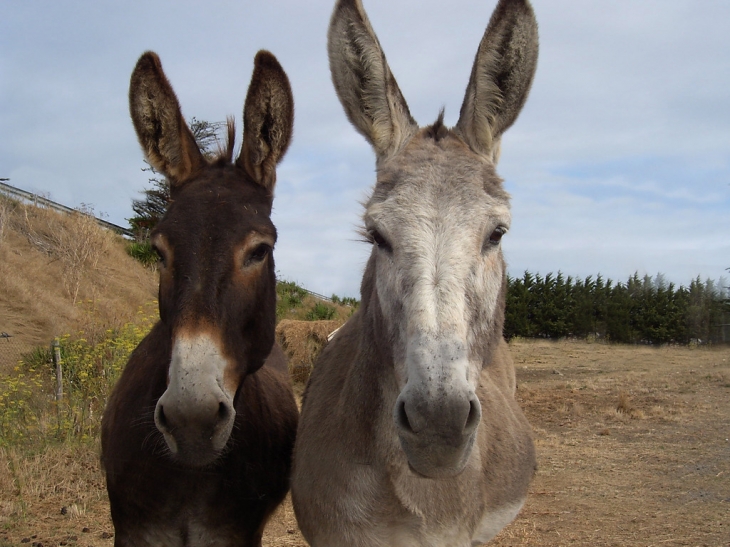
(619, 162)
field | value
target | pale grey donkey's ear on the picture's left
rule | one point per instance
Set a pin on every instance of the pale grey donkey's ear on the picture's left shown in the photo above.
(367, 89)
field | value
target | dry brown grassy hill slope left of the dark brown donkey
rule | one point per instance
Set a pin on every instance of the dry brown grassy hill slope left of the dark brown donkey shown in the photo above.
(60, 274)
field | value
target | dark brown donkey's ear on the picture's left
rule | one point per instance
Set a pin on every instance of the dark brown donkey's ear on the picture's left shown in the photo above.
(166, 139)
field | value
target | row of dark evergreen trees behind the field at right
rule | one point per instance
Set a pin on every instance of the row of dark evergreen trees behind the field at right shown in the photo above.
(642, 310)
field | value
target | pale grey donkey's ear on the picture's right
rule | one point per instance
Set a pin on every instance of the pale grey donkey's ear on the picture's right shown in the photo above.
(501, 77)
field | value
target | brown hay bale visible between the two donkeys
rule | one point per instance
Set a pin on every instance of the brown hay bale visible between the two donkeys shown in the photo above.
(302, 341)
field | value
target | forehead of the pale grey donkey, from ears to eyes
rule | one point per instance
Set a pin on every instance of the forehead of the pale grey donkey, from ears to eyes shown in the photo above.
(438, 182)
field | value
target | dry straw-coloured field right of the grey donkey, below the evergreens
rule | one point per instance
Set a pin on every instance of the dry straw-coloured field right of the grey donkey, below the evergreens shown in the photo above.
(646, 460)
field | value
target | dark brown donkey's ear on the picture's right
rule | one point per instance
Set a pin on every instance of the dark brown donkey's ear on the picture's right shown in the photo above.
(268, 119)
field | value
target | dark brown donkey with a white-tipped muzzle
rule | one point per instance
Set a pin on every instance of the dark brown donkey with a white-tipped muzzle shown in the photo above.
(198, 433)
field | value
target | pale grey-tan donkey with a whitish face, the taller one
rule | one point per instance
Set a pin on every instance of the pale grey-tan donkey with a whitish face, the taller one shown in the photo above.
(410, 433)
